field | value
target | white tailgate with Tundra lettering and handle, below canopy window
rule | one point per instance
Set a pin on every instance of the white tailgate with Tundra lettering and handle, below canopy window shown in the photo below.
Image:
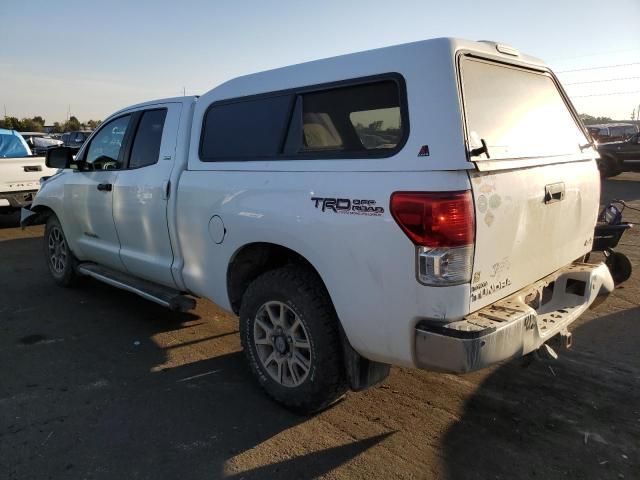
(529, 223)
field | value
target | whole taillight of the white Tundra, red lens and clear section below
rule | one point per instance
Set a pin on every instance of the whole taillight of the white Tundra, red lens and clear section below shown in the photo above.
(442, 226)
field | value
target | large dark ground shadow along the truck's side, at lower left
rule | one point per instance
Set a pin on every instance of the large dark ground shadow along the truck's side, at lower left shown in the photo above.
(81, 394)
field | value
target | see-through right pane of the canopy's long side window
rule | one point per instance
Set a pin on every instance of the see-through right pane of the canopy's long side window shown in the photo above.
(352, 119)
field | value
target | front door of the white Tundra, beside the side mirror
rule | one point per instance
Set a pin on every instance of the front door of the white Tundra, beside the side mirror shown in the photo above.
(88, 195)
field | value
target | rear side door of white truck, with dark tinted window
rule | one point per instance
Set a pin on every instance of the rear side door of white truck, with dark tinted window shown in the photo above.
(141, 194)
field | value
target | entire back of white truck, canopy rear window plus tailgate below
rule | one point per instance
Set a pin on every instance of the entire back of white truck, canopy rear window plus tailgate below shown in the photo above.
(536, 189)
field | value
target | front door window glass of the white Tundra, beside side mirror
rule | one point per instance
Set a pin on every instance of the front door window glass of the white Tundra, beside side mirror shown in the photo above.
(105, 150)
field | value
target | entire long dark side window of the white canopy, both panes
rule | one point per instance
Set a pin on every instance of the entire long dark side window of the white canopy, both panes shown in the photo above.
(359, 120)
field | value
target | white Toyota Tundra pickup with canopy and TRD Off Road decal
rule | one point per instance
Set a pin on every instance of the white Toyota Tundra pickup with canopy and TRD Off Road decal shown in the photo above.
(389, 207)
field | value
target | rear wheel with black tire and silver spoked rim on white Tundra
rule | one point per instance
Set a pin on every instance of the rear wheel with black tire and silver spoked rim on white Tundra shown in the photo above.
(290, 335)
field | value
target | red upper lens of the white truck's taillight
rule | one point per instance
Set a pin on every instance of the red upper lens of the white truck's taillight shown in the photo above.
(435, 219)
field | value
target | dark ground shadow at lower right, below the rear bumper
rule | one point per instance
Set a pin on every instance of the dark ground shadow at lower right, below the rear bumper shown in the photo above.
(543, 420)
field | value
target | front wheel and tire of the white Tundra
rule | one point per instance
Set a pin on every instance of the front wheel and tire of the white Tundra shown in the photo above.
(59, 257)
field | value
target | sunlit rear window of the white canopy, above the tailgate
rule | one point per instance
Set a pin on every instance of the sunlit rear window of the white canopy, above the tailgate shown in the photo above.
(518, 113)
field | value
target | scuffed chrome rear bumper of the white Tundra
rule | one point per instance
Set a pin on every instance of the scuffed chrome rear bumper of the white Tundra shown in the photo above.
(515, 325)
